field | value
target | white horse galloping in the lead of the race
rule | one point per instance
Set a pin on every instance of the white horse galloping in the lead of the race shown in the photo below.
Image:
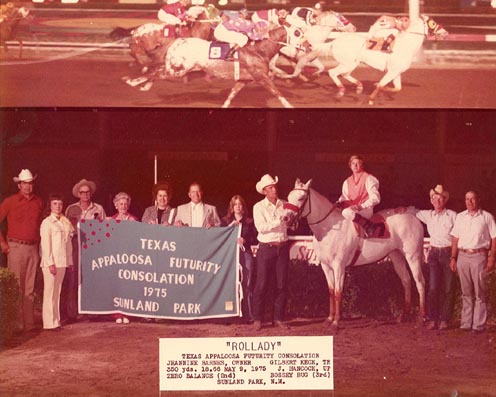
(351, 49)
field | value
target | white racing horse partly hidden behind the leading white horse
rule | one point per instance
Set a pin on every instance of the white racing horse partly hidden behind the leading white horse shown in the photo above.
(326, 23)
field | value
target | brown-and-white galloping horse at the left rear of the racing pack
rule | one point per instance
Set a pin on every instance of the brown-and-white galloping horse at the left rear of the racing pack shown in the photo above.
(150, 41)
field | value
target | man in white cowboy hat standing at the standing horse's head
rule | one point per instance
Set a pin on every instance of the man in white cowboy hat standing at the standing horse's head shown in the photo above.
(272, 254)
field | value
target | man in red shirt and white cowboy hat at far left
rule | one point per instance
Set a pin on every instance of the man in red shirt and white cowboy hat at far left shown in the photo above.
(23, 212)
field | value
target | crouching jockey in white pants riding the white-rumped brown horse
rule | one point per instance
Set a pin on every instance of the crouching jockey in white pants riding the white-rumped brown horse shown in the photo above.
(236, 29)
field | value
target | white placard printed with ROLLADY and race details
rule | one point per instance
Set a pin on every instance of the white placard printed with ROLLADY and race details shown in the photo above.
(253, 363)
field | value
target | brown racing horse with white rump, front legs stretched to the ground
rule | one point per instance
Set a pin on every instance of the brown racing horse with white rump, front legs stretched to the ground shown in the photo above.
(192, 54)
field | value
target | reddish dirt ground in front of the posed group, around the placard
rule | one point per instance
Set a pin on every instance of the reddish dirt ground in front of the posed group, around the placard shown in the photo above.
(371, 358)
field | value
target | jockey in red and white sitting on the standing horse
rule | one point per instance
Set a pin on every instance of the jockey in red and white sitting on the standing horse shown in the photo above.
(360, 194)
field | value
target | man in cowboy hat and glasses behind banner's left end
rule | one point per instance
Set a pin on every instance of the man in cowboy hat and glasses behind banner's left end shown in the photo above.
(85, 208)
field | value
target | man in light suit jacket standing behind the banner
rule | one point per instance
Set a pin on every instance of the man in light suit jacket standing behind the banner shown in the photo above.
(196, 213)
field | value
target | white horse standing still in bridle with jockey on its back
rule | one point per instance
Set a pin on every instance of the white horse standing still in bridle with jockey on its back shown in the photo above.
(338, 245)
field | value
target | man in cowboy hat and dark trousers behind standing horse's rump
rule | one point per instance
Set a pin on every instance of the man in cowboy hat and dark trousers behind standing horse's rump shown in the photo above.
(439, 222)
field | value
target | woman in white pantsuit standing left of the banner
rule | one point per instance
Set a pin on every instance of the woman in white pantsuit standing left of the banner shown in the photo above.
(56, 255)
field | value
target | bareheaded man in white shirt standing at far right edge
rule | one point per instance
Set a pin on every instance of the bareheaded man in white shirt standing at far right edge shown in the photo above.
(474, 235)
